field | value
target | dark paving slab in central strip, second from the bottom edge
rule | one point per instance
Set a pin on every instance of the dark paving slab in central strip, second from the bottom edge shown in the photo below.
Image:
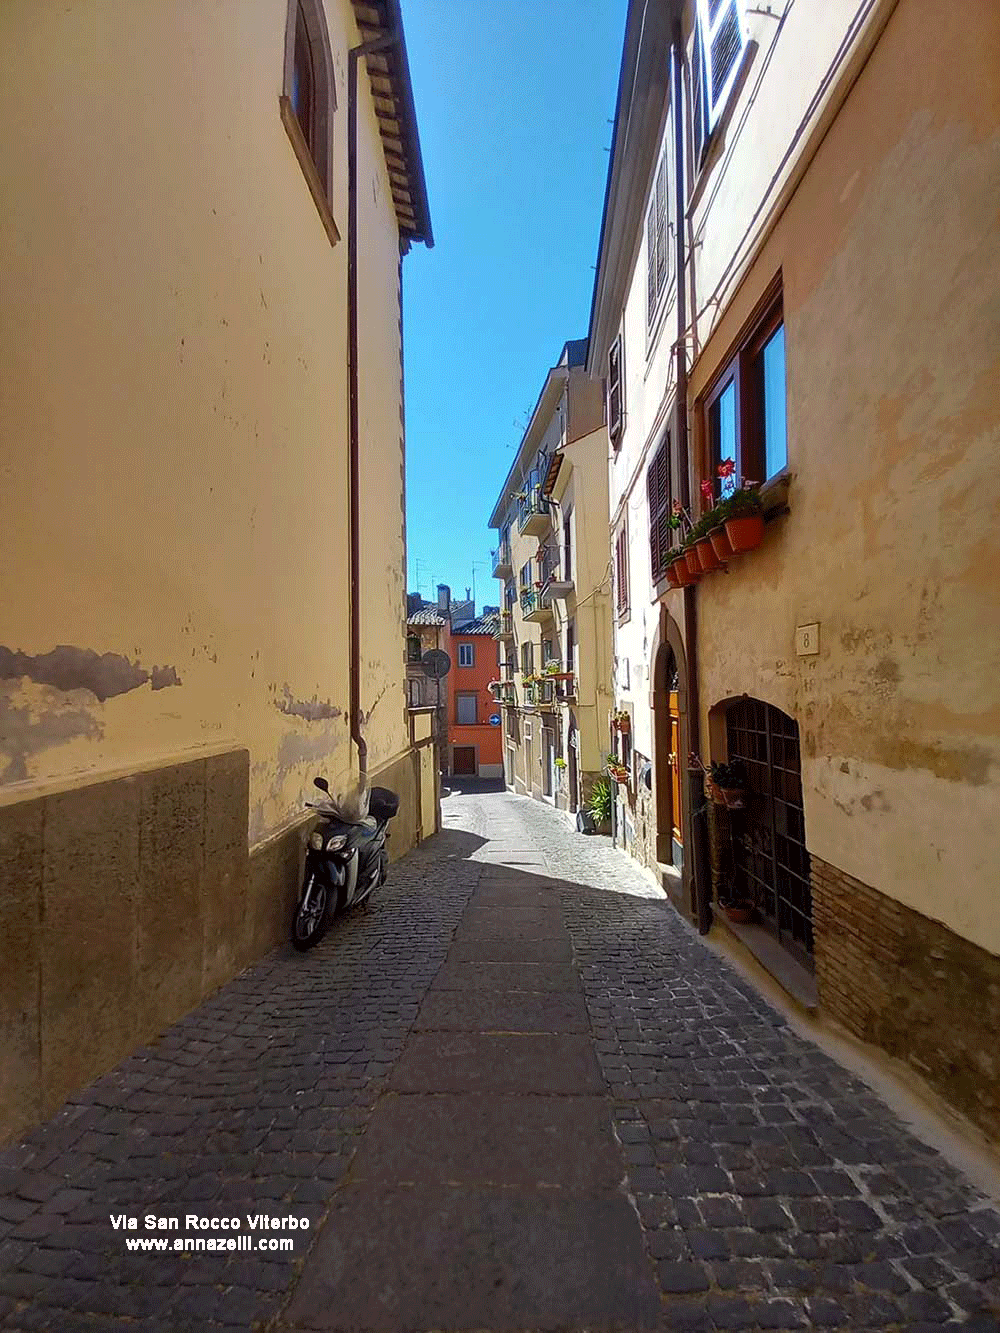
(562, 1143)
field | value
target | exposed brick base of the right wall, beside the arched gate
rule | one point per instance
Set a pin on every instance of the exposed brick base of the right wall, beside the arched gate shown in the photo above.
(913, 987)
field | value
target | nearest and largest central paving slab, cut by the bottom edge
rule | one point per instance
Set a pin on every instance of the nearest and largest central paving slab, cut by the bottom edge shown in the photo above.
(395, 1259)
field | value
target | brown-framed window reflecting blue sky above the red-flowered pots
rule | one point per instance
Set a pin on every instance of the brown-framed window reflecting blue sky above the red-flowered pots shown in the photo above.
(745, 410)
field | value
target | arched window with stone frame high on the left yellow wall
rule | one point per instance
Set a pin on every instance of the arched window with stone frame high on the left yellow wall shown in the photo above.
(309, 102)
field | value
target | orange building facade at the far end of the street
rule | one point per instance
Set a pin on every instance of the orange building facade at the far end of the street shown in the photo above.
(475, 746)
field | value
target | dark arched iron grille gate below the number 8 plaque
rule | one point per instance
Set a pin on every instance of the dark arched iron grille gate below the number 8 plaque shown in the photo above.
(771, 860)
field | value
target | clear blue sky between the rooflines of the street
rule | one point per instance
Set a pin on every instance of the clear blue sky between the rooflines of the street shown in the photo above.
(515, 101)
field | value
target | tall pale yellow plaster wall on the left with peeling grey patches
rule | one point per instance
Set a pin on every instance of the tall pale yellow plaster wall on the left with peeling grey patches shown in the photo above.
(175, 411)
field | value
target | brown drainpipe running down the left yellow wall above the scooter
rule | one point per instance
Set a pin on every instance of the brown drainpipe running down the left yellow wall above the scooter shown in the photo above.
(354, 57)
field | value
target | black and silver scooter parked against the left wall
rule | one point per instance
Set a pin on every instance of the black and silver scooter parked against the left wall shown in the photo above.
(347, 859)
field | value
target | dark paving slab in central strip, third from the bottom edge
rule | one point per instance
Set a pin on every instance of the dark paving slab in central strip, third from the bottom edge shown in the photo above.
(483, 1062)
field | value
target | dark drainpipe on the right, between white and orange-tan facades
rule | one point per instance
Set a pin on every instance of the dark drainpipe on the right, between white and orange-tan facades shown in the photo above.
(699, 832)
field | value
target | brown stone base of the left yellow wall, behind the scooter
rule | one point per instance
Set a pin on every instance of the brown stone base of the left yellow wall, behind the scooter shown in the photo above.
(125, 903)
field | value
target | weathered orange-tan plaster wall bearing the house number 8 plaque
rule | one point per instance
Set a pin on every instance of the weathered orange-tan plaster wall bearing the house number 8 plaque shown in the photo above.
(890, 253)
